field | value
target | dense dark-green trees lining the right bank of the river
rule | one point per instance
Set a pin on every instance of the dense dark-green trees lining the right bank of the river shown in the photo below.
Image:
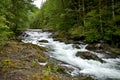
(94, 19)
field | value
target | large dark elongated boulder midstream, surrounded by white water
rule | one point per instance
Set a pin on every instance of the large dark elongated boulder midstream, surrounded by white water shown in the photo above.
(88, 55)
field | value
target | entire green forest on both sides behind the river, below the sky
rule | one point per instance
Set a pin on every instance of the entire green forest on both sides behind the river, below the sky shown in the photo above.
(89, 20)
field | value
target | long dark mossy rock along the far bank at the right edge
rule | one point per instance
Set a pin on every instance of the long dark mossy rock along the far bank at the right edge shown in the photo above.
(103, 48)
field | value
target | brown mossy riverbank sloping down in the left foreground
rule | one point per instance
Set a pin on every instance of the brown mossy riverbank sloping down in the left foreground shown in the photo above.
(21, 61)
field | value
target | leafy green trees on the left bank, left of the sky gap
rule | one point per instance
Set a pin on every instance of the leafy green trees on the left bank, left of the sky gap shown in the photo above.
(14, 16)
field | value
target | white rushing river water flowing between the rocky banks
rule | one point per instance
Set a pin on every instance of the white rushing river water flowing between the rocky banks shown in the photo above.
(66, 53)
